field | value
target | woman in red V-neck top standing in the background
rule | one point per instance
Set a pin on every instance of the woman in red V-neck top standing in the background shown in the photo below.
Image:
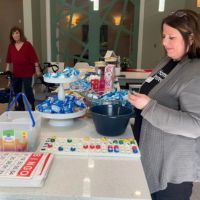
(21, 55)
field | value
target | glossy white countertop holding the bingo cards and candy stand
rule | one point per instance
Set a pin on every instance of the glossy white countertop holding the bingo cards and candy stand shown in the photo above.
(79, 177)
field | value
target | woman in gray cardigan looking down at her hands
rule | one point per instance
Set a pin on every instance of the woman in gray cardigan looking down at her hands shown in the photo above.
(168, 111)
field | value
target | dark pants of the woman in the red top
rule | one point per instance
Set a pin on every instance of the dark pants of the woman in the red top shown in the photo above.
(26, 83)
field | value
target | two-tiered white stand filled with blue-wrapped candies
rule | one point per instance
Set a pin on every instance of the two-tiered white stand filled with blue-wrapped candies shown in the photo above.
(62, 109)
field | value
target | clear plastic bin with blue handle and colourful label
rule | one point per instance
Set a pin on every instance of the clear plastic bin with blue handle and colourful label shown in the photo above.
(19, 130)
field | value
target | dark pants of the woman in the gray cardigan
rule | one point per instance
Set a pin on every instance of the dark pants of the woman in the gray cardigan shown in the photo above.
(181, 191)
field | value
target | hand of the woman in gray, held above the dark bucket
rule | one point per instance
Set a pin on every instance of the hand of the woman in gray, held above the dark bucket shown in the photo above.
(138, 100)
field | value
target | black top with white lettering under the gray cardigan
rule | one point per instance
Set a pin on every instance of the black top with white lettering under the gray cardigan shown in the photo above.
(147, 86)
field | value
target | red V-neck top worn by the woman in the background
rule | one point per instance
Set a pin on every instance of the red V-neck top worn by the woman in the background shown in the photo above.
(23, 59)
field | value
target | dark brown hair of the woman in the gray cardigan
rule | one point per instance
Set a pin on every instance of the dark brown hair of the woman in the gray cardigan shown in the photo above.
(187, 22)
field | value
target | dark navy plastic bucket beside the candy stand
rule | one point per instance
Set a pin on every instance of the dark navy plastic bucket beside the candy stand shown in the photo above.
(111, 120)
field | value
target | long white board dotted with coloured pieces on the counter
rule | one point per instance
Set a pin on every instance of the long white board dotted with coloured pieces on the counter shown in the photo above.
(102, 147)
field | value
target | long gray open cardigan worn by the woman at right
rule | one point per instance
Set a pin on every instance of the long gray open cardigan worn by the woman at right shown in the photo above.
(170, 133)
